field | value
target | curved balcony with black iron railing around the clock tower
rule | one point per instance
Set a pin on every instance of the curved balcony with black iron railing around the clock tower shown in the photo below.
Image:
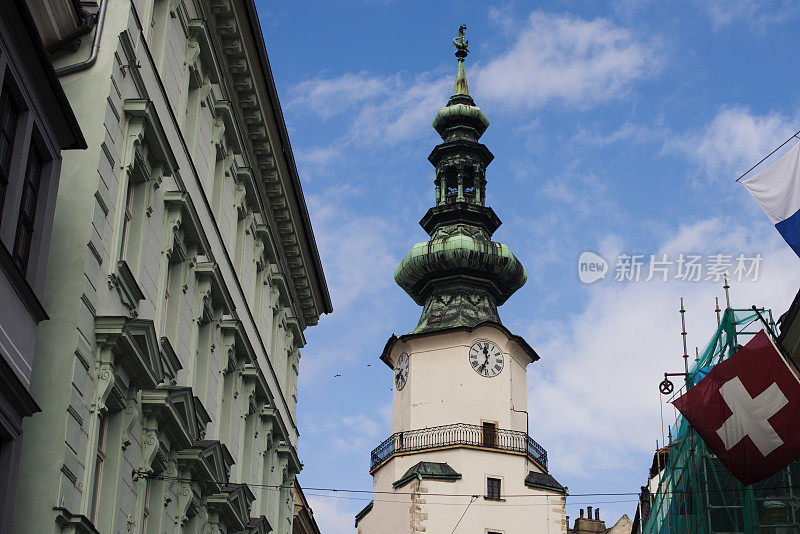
(458, 435)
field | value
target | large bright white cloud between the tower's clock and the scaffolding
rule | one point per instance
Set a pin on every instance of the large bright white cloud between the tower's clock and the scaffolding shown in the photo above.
(593, 396)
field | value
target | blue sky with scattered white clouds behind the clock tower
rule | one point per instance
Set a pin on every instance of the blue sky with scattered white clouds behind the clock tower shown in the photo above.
(618, 128)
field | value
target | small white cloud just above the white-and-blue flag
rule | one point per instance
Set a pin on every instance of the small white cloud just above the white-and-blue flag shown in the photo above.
(733, 141)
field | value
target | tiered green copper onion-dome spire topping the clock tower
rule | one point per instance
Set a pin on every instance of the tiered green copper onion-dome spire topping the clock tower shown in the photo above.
(460, 275)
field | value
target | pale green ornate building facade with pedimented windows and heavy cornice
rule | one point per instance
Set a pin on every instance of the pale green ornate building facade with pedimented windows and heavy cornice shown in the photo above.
(182, 274)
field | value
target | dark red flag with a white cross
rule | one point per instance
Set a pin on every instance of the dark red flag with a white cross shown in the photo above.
(747, 410)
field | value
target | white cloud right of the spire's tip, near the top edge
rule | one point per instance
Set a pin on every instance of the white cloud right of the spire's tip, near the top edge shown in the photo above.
(568, 59)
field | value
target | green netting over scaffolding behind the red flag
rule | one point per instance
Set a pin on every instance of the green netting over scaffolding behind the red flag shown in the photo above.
(696, 493)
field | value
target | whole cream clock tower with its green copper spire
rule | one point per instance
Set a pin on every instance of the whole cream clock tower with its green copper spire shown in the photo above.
(460, 452)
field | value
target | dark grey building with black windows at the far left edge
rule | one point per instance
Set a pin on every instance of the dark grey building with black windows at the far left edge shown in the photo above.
(36, 124)
